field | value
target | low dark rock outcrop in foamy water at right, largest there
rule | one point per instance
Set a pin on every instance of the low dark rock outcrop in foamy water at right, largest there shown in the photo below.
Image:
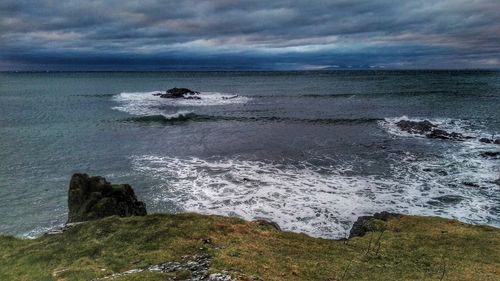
(428, 129)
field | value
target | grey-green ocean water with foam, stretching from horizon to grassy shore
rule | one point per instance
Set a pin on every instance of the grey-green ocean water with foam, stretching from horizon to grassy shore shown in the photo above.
(311, 151)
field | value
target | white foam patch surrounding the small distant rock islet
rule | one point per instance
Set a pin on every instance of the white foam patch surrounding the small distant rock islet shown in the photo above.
(145, 103)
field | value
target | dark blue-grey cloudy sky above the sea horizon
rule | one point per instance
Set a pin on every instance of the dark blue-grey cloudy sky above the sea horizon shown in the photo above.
(249, 35)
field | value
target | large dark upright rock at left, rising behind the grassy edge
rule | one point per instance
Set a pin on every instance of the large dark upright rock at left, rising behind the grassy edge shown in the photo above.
(91, 198)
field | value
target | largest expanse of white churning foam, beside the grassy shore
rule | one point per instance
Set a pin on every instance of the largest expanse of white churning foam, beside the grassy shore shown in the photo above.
(308, 199)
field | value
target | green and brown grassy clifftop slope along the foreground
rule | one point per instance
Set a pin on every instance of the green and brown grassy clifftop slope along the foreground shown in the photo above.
(411, 248)
